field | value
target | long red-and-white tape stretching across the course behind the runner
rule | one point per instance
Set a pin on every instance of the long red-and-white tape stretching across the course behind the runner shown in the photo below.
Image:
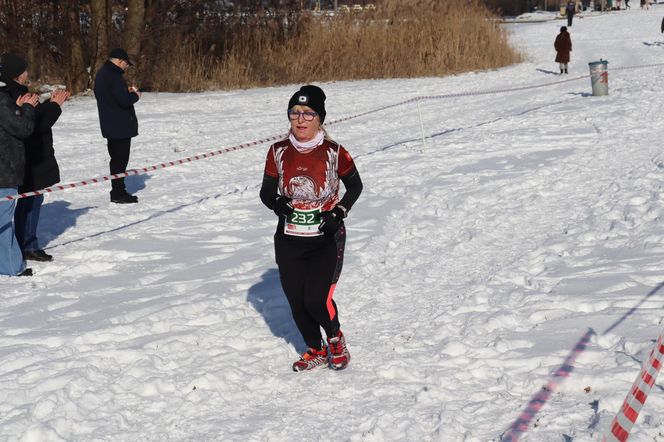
(147, 169)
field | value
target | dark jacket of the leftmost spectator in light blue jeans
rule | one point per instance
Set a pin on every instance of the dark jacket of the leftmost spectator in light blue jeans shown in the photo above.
(16, 124)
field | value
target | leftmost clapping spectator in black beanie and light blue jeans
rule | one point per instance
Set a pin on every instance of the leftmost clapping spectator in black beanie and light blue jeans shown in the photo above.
(17, 120)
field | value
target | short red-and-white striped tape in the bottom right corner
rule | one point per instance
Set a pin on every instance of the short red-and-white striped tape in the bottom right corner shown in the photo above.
(629, 412)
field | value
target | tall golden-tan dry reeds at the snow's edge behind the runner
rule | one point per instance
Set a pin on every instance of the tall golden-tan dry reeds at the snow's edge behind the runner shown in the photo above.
(397, 40)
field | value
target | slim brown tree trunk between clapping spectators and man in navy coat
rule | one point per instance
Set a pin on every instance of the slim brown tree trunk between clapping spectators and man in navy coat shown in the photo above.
(77, 75)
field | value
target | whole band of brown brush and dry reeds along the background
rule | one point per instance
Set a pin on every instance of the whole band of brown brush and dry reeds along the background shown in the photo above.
(199, 45)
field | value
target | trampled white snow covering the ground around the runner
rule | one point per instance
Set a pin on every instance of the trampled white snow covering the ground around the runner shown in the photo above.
(476, 261)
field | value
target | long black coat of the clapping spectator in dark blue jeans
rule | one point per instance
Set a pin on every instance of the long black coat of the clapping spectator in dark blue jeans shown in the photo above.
(41, 168)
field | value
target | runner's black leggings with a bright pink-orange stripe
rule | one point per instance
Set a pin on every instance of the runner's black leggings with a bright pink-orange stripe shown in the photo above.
(309, 270)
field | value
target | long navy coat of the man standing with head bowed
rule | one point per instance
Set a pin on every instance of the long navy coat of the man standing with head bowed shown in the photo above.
(115, 103)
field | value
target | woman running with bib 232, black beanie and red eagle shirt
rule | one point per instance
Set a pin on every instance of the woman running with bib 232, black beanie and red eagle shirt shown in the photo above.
(301, 185)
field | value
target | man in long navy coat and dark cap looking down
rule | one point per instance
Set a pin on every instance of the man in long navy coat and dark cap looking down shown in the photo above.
(117, 118)
